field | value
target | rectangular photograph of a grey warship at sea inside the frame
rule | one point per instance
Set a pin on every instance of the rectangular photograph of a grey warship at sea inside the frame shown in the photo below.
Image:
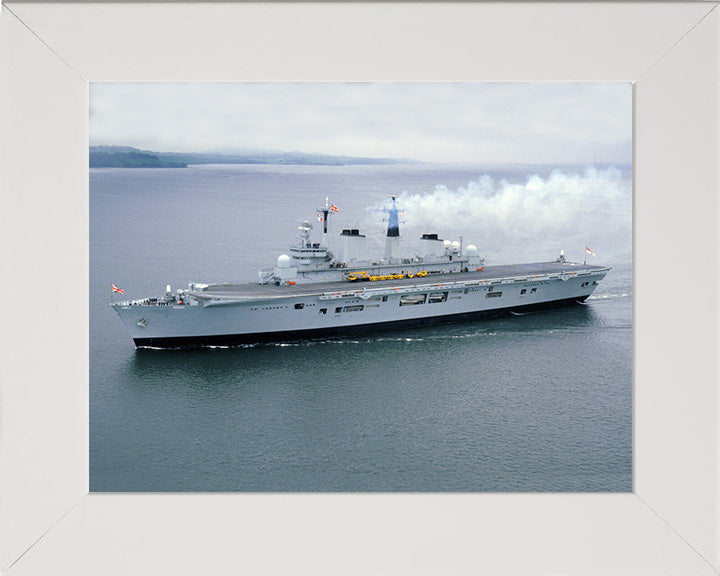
(360, 287)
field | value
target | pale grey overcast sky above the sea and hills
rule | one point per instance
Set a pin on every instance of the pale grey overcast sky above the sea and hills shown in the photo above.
(544, 123)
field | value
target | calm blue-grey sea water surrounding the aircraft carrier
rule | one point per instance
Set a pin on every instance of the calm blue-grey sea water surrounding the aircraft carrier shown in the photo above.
(539, 402)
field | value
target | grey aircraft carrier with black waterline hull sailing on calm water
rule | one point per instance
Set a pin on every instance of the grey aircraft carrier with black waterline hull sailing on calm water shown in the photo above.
(314, 293)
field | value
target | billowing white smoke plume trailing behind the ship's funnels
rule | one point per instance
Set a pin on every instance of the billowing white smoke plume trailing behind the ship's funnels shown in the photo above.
(530, 220)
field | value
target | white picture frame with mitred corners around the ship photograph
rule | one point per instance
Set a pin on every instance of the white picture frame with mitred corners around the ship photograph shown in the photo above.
(49, 523)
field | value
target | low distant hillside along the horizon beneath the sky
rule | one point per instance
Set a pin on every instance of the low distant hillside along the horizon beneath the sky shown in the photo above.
(128, 157)
